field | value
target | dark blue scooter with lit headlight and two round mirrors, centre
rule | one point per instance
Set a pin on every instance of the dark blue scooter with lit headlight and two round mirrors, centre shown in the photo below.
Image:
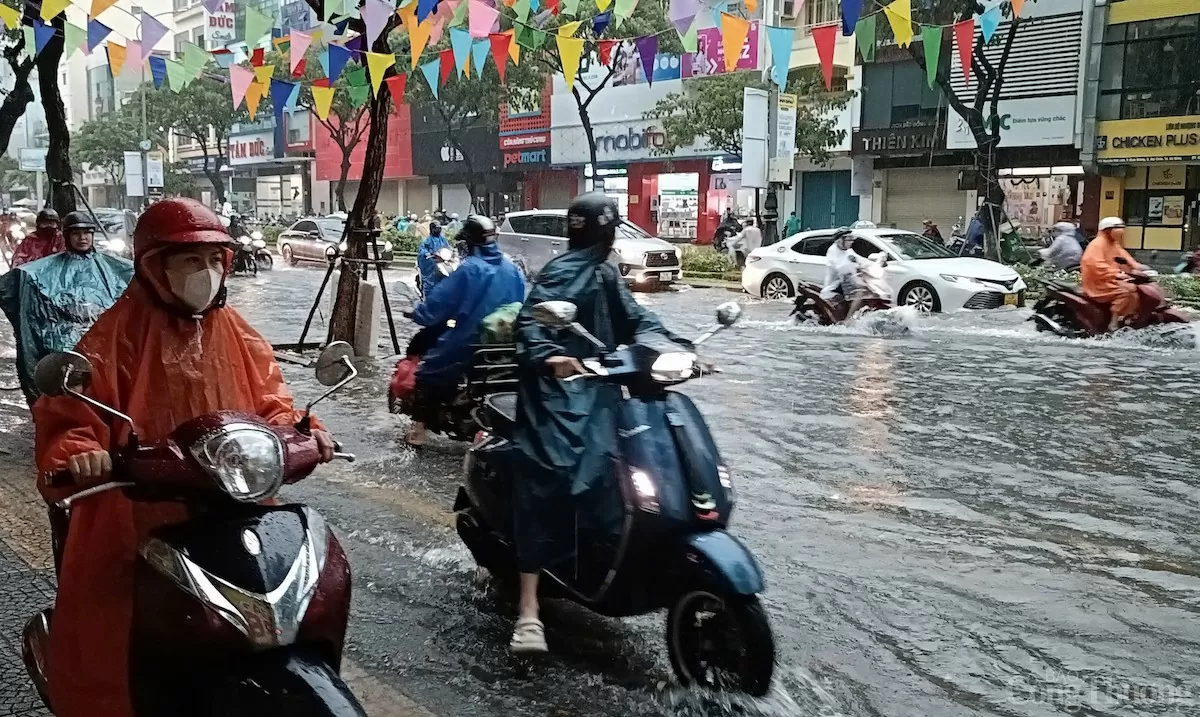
(663, 541)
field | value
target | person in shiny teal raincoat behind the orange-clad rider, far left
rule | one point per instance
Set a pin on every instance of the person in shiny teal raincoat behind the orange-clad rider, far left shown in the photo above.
(53, 302)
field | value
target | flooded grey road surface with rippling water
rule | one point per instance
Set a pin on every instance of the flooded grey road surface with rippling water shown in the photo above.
(968, 520)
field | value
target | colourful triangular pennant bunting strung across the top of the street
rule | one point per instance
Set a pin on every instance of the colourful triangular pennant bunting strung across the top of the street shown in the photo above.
(473, 28)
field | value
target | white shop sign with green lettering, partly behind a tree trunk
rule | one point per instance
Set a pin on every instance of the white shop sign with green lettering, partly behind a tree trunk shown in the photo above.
(1037, 122)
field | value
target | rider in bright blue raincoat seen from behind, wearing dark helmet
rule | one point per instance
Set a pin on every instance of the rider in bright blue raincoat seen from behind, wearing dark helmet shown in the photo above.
(485, 281)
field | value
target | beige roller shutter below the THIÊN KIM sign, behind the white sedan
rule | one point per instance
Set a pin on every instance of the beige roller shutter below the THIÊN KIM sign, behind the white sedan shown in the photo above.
(917, 195)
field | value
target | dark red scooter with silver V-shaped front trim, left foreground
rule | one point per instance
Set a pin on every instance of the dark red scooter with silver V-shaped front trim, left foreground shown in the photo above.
(242, 610)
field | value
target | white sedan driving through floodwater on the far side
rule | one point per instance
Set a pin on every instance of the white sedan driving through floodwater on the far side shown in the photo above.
(922, 274)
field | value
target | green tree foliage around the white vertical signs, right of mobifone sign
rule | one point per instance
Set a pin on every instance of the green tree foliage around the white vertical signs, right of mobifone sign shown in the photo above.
(712, 107)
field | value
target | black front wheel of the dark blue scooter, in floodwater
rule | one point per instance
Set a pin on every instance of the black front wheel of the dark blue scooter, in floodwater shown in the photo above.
(722, 642)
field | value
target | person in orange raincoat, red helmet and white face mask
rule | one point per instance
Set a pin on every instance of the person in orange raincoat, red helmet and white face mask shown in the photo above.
(167, 352)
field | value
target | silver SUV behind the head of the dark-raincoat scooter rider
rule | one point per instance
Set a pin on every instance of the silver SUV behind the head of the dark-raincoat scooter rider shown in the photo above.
(537, 237)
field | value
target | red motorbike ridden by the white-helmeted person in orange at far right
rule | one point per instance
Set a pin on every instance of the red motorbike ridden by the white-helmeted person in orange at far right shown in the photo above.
(1066, 311)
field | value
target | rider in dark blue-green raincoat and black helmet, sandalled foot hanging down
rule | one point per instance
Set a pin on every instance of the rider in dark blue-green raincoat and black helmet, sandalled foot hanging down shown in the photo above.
(565, 432)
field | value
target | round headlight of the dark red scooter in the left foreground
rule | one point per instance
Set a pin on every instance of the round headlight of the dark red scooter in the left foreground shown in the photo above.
(247, 461)
